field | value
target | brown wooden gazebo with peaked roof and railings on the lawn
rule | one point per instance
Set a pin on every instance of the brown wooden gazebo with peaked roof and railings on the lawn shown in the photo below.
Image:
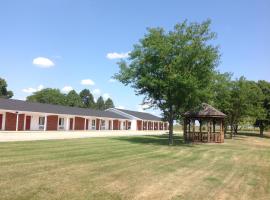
(204, 124)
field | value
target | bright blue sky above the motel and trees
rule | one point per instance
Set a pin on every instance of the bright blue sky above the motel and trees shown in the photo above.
(77, 36)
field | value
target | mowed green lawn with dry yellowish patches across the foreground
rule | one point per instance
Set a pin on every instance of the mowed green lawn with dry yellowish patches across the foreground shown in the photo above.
(142, 167)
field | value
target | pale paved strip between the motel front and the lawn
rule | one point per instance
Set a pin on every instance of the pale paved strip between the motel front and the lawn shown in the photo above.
(11, 136)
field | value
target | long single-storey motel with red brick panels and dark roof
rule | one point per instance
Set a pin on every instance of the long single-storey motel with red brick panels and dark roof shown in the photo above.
(17, 115)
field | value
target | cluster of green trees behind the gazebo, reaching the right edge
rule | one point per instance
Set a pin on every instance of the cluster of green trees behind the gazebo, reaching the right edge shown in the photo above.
(243, 101)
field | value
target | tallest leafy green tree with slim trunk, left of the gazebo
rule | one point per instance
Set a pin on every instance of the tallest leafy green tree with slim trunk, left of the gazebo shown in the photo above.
(173, 70)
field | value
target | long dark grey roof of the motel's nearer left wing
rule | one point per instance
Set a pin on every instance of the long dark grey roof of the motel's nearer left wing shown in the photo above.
(19, 105)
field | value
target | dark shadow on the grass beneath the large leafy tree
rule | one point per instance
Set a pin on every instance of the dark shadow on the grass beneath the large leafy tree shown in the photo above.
(155, 140)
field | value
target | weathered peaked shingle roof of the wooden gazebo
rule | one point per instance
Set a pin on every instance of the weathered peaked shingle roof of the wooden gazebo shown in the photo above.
(205, 110)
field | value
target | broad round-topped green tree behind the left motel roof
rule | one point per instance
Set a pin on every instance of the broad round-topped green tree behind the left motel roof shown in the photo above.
(48, 95)
